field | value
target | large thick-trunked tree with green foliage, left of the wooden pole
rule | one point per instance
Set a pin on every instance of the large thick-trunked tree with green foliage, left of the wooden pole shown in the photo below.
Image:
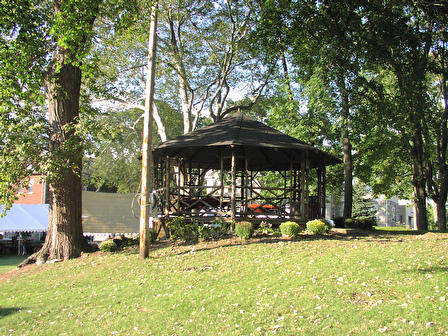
(53, 38)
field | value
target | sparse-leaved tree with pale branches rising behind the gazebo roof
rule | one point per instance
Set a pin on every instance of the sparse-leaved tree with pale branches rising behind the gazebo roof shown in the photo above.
(204, 54)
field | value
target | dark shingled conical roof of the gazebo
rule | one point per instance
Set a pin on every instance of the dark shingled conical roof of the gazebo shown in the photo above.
(265, 147)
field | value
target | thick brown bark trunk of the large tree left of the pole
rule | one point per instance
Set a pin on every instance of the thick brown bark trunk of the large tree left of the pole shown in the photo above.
(64, 238)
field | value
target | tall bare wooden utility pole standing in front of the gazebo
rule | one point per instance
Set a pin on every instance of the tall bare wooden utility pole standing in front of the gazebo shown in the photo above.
(147, 162)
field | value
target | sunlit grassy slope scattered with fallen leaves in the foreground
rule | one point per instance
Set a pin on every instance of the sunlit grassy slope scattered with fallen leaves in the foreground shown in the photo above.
(381, 282)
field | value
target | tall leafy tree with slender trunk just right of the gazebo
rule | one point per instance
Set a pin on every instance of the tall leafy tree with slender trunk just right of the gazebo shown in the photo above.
(321, 36)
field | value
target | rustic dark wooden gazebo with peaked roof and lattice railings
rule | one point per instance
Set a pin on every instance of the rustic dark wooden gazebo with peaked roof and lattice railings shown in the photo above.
(216, 171)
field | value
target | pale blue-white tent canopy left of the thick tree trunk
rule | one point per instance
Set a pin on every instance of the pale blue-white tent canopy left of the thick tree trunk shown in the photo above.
(25, 218)
